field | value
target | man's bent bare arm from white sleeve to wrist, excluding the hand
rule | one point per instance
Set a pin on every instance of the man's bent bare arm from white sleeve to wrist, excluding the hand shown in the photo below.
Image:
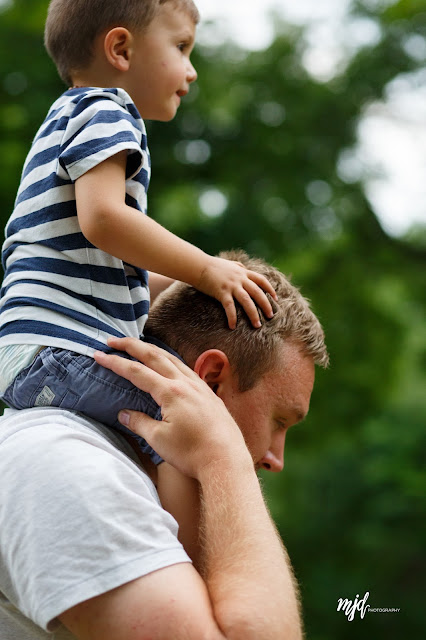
(247, 593)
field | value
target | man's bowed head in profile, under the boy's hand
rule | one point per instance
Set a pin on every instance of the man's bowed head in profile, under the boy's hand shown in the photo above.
(264, 376)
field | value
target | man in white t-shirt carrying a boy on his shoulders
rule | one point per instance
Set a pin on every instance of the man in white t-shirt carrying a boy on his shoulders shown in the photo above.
(88, 552)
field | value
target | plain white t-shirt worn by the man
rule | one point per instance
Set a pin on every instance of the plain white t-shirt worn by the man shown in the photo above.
(78, 517)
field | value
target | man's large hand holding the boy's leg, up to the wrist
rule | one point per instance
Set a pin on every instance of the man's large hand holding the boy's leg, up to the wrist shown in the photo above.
(197, 429)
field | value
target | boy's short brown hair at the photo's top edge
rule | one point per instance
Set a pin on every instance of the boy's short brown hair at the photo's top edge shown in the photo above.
(72, 26)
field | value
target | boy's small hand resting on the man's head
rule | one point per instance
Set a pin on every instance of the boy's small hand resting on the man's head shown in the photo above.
(228, 281)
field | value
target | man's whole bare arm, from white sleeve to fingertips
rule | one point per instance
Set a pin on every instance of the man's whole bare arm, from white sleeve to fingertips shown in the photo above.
(246, 591)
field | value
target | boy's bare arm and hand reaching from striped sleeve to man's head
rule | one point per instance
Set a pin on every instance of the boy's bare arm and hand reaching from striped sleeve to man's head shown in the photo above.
(112, 226)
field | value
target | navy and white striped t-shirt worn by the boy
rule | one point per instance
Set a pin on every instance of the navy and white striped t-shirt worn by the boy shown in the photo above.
(59, 290)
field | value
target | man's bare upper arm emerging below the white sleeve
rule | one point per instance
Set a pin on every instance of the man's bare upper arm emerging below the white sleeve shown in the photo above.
(169, 604)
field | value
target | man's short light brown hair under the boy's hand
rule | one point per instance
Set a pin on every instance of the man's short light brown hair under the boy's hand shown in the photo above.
(191, 322)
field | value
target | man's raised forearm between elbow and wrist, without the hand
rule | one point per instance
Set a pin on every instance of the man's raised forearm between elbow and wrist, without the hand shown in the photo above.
(246, 568)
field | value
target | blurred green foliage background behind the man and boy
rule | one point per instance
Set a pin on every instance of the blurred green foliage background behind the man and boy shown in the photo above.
(251, 161)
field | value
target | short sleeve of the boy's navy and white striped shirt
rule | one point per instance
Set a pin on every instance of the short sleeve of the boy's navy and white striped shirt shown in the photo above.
(101, 126)
